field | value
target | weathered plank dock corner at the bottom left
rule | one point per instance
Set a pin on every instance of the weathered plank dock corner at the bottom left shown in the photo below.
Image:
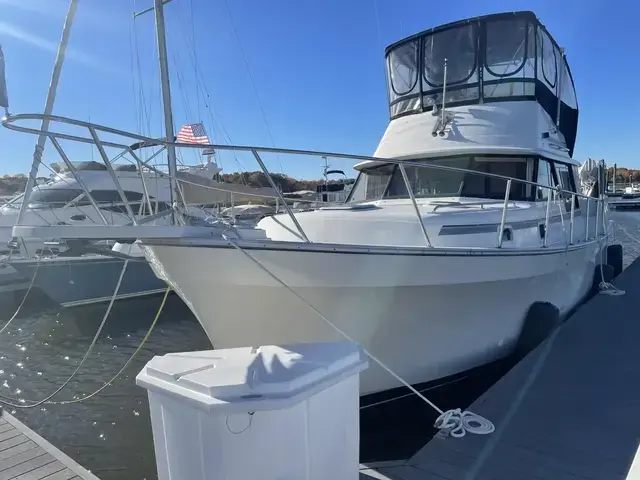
(25, 455)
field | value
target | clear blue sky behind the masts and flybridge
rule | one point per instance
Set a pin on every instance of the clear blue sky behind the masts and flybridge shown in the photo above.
(317, 67)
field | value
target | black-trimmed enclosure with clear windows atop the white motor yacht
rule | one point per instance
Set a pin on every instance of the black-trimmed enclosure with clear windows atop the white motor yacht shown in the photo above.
(494, 58)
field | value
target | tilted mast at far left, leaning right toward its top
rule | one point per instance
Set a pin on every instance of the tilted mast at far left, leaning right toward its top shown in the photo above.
(48, 109)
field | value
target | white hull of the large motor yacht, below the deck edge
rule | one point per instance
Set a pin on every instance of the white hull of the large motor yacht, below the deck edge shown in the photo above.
(426, 316)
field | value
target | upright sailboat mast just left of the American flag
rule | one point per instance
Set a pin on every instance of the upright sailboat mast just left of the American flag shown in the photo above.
(166, 94)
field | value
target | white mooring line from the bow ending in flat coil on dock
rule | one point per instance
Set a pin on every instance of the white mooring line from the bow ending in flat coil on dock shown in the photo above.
(449, 421)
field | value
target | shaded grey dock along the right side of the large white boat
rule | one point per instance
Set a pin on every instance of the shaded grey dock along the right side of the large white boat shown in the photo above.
(567, 411)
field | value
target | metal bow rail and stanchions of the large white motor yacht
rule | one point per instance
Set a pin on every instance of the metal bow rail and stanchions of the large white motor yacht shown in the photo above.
(93, 131)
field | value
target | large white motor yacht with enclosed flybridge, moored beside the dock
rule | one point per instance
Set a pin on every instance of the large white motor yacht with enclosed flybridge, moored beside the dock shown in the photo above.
(468, 213)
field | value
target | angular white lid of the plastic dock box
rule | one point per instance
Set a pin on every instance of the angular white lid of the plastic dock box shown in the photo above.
(263, 378)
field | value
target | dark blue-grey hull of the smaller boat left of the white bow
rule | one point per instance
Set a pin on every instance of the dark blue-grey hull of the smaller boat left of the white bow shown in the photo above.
(76, 281)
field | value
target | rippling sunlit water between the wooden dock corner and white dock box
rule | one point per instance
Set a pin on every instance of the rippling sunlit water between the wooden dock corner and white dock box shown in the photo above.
(110, 433)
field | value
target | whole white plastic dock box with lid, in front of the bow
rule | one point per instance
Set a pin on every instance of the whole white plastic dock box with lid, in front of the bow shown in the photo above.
(285, 413)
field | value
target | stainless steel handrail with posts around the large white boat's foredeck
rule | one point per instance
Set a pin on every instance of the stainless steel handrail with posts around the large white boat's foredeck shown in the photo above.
(93, 138)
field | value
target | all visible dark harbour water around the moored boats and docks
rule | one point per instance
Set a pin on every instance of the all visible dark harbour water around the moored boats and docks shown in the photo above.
(110, 434)
